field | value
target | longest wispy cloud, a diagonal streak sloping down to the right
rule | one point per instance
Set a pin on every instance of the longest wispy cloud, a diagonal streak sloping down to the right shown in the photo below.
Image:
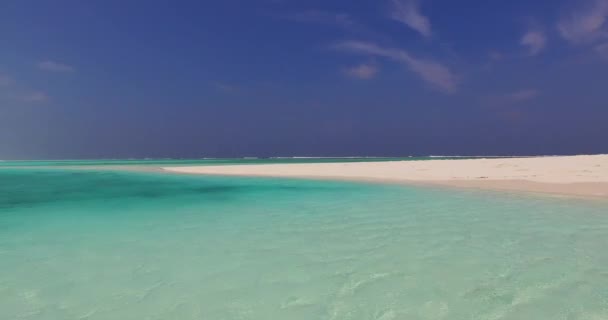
(431, 72)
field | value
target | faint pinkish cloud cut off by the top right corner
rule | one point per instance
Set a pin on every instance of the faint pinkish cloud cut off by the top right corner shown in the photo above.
(586, 24)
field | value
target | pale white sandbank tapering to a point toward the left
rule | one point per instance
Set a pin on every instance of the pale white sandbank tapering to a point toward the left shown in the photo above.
(585, 175)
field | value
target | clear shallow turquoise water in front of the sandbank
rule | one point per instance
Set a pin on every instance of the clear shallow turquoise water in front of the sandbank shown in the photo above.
(119, 245)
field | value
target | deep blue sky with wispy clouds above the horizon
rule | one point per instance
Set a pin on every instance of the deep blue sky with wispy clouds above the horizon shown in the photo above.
(116, 79)
